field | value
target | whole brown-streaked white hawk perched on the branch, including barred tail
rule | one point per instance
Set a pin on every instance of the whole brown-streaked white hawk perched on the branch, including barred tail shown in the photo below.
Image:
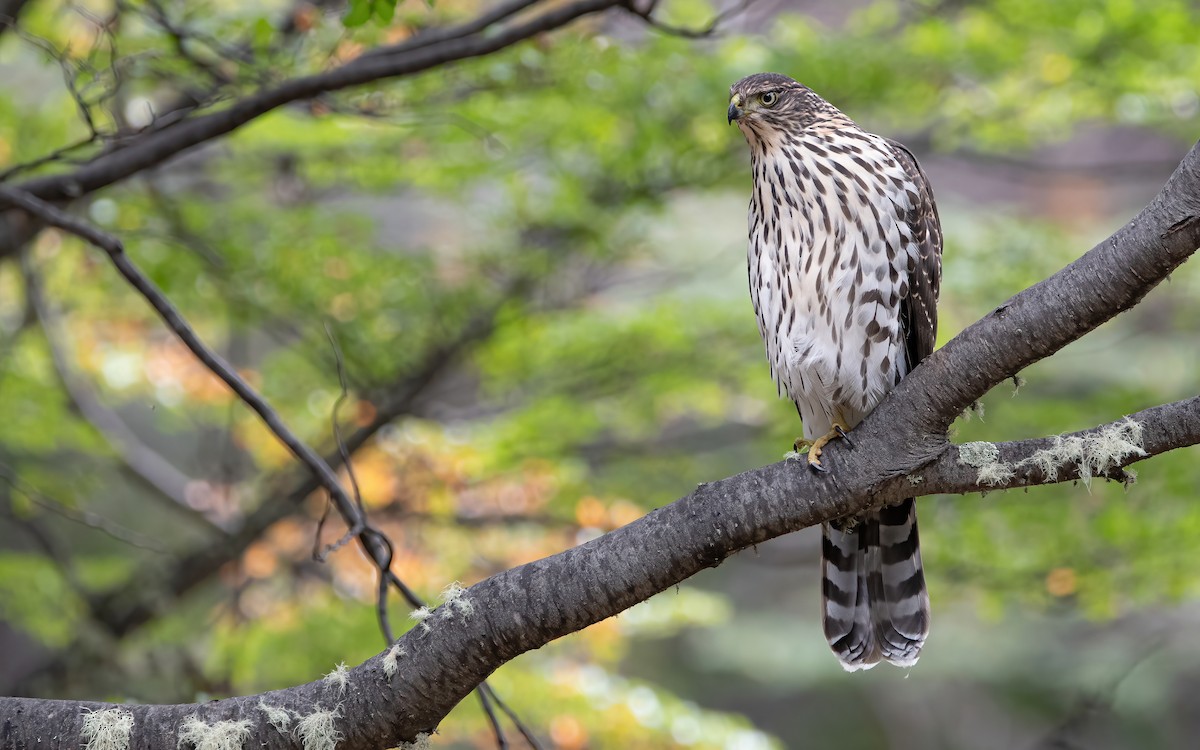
(845, 265)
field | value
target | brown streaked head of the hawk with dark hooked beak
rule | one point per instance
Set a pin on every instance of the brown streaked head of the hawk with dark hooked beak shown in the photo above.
(769, 103)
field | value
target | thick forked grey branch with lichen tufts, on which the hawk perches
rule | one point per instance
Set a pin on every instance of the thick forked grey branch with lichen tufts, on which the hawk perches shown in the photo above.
(901, 451)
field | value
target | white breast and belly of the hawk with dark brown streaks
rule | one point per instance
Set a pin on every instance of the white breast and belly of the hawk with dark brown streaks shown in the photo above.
(827, 292)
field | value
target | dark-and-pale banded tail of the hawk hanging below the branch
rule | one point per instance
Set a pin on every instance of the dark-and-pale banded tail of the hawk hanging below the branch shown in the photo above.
(874, 589)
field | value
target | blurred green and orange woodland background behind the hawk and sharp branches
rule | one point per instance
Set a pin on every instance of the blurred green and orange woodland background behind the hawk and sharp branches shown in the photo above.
(535, 267)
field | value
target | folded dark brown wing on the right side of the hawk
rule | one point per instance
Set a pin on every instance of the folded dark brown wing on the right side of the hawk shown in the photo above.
(919, 310)
